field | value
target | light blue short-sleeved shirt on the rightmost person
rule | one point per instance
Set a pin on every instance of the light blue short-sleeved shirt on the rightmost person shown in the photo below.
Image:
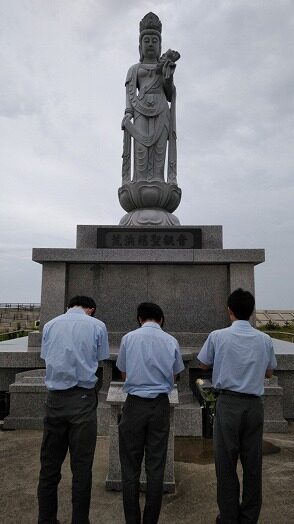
(240, 356)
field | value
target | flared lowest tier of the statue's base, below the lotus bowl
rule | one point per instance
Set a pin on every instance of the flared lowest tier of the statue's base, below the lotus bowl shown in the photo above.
(149, 217)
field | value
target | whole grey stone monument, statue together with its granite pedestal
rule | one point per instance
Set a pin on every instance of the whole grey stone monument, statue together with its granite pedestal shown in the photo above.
(149, 256)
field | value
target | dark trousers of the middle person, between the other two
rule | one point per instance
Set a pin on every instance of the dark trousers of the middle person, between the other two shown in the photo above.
(144, 427)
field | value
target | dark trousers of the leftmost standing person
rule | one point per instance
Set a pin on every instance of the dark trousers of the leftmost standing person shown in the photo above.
(70, 423)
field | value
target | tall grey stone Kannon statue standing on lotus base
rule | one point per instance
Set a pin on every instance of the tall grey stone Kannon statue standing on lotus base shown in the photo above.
(149, 127)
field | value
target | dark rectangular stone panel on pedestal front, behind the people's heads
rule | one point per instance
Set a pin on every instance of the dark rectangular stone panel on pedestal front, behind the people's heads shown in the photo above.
(178, 289)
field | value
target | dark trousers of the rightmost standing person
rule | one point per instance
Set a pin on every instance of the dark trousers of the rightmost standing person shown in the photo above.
(238, 428)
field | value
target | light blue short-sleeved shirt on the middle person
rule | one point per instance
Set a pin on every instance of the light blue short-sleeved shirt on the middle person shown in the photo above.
(150, 357)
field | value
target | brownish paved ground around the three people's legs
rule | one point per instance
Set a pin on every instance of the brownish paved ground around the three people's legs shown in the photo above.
(194, 501)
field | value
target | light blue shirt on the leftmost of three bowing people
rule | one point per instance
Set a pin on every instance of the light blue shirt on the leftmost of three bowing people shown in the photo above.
(72, 346)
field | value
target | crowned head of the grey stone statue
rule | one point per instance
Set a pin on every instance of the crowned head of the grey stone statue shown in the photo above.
(150, 36)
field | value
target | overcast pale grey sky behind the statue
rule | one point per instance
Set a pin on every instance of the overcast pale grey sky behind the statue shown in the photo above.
(62, 71)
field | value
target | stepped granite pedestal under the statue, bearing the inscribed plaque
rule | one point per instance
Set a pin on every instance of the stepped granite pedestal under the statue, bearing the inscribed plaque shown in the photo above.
(190, 284)
